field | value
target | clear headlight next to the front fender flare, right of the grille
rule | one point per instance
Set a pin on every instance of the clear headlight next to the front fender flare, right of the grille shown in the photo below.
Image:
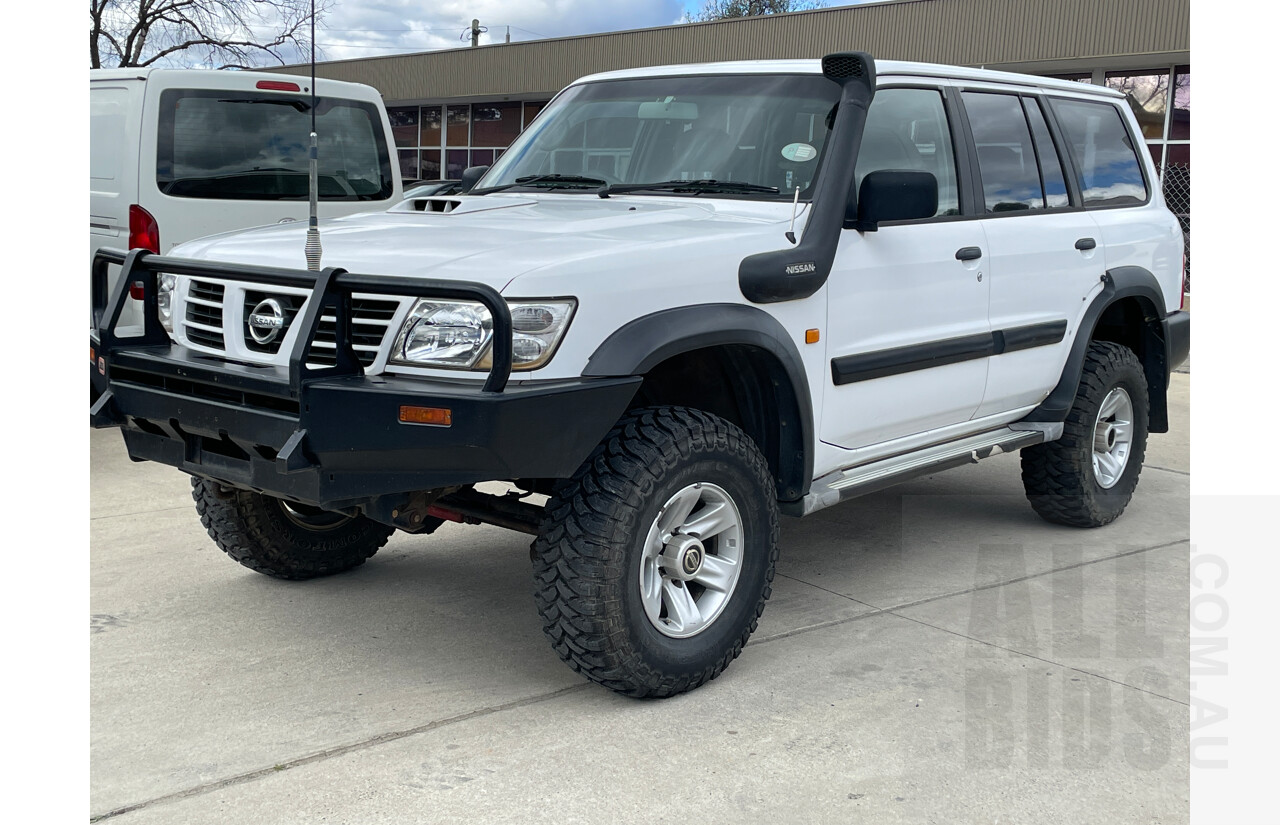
(459, 334)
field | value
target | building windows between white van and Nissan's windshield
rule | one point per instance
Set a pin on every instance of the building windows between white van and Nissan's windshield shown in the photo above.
(440, 141)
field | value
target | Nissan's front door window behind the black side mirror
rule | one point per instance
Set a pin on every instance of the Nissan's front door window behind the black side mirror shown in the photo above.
(907, 129)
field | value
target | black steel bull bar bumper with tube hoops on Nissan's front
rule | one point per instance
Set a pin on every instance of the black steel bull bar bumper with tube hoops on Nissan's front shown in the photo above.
(333, 438)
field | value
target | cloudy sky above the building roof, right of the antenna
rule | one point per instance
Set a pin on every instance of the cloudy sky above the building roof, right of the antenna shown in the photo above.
(364, 29)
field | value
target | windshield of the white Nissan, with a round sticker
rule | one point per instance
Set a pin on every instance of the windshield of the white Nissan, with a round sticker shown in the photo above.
(758, 130)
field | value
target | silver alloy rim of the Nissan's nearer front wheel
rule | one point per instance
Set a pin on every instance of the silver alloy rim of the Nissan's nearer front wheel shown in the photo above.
(692, 560)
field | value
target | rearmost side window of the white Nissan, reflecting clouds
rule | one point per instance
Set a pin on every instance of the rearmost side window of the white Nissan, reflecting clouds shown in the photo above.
(1103, 152)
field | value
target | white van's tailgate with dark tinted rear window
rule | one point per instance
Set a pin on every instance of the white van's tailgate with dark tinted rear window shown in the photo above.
(225, 152)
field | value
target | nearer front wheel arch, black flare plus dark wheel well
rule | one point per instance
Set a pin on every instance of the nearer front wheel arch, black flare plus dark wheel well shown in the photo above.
(729, 360)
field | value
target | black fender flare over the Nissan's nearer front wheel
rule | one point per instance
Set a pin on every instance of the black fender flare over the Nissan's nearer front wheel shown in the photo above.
(642, 345)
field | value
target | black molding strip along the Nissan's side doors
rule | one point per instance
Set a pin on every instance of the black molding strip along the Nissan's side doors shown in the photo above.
(886, 363)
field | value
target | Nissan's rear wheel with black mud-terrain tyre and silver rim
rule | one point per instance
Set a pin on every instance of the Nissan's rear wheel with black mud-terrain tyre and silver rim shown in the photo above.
(1087, 478)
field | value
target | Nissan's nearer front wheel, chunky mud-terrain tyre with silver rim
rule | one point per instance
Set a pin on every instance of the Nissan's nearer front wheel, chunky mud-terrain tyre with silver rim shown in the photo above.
(656, 560)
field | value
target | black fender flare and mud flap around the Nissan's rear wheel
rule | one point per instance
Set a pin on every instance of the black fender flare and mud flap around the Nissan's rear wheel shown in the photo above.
(1122, 282)
